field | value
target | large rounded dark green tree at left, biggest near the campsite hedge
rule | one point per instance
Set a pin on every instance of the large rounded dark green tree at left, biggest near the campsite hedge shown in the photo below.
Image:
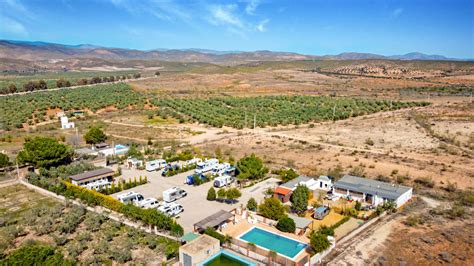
(45, 152)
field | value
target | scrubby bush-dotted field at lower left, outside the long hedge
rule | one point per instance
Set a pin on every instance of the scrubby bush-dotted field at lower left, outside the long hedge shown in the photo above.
(30, 219)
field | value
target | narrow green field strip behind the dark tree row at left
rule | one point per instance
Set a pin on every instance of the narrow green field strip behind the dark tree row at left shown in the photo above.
(52, 77)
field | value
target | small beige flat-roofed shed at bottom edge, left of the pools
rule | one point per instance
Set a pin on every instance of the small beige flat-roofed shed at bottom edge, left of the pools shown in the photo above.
(198, 250)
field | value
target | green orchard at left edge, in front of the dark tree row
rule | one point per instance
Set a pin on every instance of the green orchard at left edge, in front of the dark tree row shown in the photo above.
(20, 110)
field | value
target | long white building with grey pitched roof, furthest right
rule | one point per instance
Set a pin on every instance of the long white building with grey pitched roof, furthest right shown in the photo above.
(371, 191)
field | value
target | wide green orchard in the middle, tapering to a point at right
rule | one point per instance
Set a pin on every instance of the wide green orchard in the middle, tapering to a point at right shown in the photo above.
(275, 110)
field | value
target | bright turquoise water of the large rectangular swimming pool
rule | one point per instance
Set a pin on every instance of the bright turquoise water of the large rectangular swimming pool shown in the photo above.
(271, 241)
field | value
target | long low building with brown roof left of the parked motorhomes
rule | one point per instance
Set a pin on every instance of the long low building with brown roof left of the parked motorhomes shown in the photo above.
(95, 179)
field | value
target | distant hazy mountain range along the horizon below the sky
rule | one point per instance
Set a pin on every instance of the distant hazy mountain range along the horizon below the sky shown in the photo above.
(34, 51)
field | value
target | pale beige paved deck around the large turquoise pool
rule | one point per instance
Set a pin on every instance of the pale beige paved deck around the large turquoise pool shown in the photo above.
(236, 230)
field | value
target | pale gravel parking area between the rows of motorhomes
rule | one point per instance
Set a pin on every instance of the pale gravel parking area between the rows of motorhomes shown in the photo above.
(195, 205)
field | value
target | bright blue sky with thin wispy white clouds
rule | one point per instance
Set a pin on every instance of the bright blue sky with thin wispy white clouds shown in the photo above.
(316, 27)
